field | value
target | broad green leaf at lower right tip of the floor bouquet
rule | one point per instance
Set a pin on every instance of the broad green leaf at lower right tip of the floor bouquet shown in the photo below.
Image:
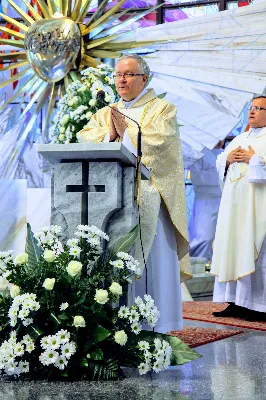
(181, 353)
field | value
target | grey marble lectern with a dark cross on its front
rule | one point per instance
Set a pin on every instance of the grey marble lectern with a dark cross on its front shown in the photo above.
(93, 184)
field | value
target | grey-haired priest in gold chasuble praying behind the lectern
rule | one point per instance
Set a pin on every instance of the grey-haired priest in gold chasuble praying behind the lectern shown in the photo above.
(163, 208)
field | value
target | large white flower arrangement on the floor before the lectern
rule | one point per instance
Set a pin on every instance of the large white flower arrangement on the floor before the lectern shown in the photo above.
(64, 314)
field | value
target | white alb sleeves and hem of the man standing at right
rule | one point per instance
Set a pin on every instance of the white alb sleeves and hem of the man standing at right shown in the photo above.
(248, 291)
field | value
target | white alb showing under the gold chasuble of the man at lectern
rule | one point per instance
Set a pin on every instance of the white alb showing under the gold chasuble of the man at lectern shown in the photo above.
(163, 271)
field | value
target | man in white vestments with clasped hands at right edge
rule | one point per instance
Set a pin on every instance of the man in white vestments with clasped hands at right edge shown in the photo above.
(239, 257)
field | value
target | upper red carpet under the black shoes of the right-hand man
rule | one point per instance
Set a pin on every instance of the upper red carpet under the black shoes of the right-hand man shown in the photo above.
(202, 311)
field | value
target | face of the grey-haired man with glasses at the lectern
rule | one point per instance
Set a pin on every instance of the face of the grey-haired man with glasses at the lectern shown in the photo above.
(128, 86)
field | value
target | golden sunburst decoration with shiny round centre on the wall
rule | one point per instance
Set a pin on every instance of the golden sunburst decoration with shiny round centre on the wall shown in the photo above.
(55, 43)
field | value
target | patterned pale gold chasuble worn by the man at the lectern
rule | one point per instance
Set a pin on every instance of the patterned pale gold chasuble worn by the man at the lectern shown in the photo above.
(161, 151)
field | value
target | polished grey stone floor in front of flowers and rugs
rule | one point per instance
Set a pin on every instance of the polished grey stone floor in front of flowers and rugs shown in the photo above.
(230, 369)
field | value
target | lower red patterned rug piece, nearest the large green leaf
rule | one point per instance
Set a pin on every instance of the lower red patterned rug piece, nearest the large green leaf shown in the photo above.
(194, 337)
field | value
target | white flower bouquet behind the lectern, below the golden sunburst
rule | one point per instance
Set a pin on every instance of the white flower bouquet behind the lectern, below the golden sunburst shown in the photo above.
(80, 102)
